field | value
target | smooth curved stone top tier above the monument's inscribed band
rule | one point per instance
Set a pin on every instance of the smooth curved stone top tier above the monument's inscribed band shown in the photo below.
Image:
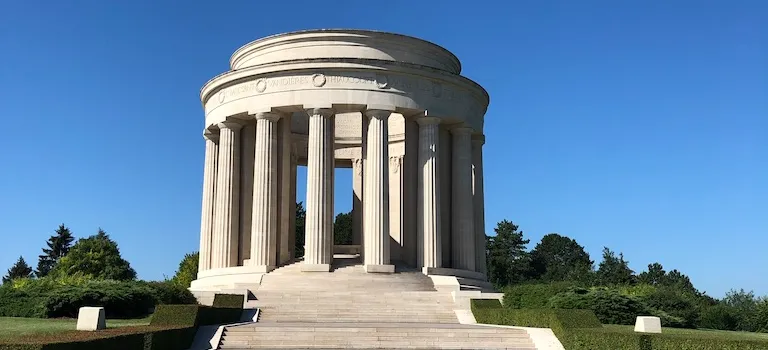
(340, 44)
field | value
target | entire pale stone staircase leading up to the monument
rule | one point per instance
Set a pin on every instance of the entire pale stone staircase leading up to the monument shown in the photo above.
(349, 308)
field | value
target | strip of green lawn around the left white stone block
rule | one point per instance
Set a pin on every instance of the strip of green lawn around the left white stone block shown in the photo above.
(19, 327)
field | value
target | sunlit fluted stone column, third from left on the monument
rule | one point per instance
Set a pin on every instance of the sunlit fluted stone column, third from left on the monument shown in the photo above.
(264, 220)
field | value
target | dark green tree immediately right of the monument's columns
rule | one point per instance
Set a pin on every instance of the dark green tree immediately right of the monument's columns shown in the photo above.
(508, 260)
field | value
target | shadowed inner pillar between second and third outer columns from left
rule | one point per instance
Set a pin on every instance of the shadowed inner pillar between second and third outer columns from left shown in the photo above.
(247, 145)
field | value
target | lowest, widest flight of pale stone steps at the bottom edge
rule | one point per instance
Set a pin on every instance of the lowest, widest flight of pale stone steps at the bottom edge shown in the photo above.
(372, 336)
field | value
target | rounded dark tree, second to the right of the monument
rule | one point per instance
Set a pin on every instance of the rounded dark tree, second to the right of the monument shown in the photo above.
(559, 258)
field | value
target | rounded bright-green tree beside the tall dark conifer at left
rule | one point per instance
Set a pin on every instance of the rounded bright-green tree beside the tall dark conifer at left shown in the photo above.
(97, 257)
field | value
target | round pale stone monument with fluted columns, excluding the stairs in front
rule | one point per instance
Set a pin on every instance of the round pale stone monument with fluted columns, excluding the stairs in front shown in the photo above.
(393, 108)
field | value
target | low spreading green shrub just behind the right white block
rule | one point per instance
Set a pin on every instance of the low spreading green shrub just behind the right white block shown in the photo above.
(609, 306)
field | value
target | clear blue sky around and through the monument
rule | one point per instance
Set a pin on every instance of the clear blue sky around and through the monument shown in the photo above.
(637, 125)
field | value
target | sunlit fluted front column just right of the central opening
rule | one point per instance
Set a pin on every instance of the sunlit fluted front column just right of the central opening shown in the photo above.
(376, 197)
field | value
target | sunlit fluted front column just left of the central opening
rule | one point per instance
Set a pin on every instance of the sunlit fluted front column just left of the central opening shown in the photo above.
(318, 251)
